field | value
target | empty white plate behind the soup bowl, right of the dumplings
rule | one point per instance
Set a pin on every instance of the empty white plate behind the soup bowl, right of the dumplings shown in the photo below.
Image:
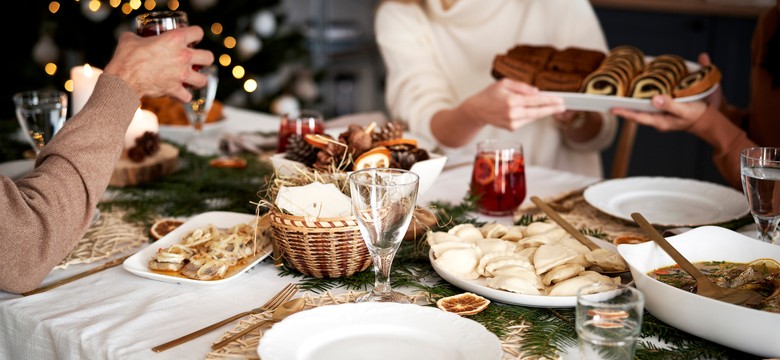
(665, 201)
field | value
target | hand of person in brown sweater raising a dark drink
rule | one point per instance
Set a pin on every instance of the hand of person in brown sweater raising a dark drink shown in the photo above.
(161, 65)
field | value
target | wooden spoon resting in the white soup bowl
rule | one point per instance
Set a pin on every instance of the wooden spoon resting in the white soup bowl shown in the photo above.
(704, 286)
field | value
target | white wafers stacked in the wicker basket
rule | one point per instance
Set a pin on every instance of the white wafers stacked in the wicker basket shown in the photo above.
(315, 200)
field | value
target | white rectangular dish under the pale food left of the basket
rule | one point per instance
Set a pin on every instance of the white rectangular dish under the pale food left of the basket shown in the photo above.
(137, 264)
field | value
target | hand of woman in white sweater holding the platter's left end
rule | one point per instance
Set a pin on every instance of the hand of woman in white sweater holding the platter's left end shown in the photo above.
(509, 104)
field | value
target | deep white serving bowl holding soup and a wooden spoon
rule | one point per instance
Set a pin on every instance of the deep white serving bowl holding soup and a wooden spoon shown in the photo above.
(749, 330)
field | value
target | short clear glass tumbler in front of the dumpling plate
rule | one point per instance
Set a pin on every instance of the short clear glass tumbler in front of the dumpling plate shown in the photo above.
(608, 320)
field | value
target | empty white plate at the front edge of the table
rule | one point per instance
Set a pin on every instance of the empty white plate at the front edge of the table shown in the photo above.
(378, 331)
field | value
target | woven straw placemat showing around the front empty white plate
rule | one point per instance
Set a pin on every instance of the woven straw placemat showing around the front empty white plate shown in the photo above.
(246, 347)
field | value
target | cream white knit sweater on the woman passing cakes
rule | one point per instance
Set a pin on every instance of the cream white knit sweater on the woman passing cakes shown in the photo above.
(436, 58)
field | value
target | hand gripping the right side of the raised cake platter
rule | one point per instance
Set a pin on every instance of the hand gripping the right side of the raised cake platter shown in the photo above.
(675, 116)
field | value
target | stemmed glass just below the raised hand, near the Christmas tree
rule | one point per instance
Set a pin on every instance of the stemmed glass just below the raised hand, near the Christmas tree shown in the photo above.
(198, 109)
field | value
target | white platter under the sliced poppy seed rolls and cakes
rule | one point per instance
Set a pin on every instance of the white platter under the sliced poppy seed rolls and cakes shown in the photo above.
(602, 103)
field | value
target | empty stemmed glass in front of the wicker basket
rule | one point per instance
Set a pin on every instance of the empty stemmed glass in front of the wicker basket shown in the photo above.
(383, 200)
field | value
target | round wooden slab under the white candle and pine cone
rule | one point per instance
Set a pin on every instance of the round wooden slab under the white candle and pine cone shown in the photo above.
(129, 173)
